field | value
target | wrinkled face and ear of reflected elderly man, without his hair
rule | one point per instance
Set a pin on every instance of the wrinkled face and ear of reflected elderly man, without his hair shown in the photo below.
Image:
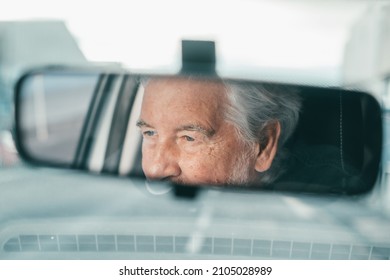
(187, 140)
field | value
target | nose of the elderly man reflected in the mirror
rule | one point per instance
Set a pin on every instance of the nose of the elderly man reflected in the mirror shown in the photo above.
(161, 161)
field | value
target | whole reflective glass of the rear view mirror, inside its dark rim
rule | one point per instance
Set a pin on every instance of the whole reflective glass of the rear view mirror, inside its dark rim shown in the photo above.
(202, 131)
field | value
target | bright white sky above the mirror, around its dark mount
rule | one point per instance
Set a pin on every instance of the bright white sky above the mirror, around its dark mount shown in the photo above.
(307, 37)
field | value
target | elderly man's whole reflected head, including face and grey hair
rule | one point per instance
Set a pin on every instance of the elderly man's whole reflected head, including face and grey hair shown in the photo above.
(198, 131)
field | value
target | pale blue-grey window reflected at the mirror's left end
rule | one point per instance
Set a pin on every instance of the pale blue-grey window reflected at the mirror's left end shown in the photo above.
(52, 112)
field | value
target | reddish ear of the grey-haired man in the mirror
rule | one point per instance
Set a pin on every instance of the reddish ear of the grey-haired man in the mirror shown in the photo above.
(267, 151)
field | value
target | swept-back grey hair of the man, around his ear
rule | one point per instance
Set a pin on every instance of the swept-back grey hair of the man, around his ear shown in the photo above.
(253, 107)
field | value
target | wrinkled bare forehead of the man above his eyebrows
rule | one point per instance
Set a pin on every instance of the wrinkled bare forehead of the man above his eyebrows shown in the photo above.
(183, 101)
